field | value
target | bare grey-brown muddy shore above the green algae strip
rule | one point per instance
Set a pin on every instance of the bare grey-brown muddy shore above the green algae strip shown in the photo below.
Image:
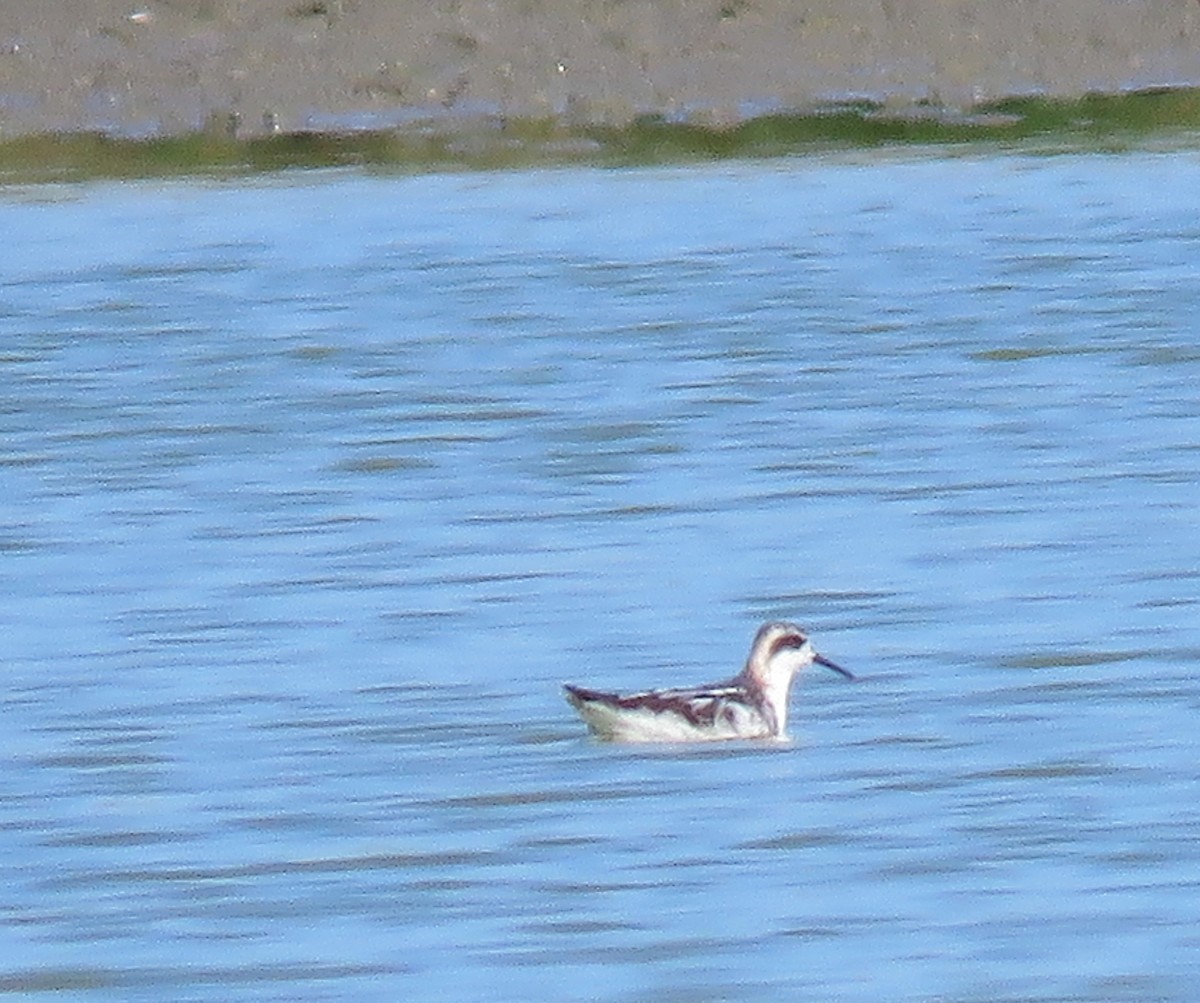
(160, 68)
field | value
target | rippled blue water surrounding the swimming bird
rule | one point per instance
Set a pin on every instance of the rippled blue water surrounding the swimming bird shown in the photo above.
(314, 489)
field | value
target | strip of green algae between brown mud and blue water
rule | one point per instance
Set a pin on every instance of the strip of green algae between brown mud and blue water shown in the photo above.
(1095, 122)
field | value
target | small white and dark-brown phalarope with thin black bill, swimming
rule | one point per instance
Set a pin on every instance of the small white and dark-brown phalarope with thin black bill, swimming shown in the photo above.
(752, 705)
